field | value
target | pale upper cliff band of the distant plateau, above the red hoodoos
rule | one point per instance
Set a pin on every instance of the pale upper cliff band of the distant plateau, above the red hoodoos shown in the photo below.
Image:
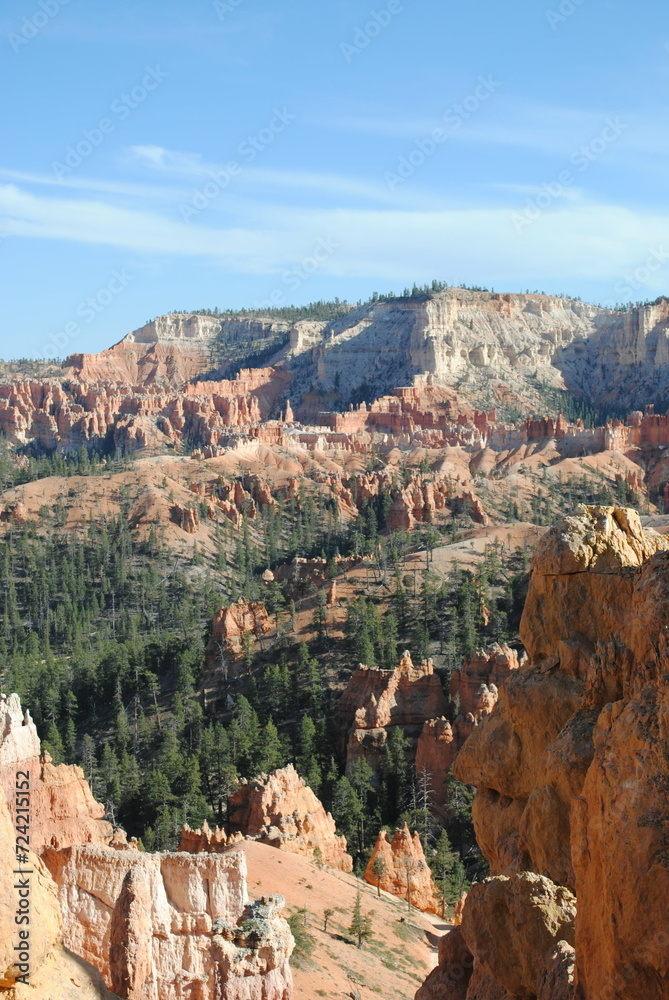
(485, 345)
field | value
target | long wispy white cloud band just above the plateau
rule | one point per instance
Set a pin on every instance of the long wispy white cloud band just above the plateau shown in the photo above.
(577, 240)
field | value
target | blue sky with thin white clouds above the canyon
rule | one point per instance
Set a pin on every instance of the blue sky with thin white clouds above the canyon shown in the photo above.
(179, 155)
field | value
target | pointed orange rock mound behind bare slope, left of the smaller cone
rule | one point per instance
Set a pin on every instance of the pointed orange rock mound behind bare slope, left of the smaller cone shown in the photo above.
(281, 810)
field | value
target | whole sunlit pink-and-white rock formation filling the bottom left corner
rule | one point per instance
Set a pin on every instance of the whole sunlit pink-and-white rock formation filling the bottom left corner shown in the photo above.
(154, 926)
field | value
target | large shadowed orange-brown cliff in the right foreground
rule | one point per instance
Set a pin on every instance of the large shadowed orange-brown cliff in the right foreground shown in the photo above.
(572, 771)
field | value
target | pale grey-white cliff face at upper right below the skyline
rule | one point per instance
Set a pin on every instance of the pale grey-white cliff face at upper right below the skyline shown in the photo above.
(499, 342)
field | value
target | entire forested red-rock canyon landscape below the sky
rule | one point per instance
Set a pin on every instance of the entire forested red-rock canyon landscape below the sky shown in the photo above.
(302, 473)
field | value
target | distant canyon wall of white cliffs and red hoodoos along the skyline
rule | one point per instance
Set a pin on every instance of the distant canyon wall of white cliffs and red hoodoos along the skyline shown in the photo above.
(465, 359)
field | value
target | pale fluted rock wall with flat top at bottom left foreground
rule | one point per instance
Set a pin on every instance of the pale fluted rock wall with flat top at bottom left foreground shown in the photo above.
(172, 926)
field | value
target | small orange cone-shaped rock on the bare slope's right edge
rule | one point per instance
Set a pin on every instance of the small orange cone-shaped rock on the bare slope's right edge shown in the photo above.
(406, 872)
